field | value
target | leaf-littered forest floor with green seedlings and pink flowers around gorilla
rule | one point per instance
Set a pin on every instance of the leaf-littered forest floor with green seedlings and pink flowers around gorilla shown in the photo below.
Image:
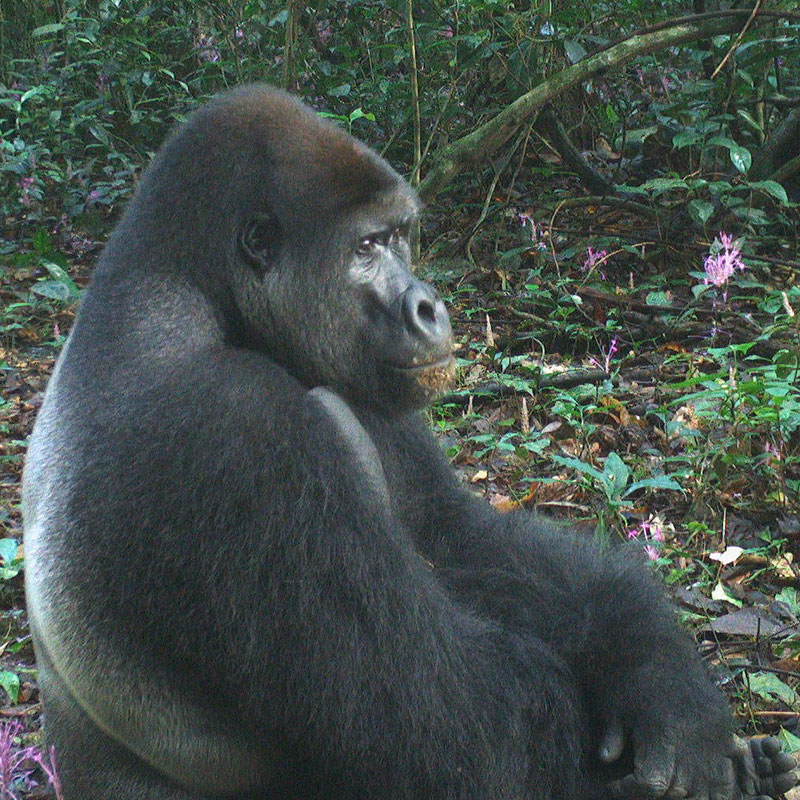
(608, 377)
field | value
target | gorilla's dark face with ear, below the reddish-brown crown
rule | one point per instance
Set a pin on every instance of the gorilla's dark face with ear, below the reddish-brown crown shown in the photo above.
(340, 307)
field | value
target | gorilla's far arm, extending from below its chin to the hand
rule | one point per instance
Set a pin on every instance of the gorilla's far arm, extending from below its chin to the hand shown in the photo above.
(597, 607)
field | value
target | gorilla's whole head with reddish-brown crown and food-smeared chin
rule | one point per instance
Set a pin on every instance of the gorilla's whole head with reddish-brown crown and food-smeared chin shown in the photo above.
(316, 273)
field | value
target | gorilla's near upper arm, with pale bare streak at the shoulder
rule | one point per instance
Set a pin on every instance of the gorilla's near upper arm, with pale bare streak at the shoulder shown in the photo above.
(384, 668)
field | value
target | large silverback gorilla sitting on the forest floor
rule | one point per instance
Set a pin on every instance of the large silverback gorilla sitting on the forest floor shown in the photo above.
(250, 571)
